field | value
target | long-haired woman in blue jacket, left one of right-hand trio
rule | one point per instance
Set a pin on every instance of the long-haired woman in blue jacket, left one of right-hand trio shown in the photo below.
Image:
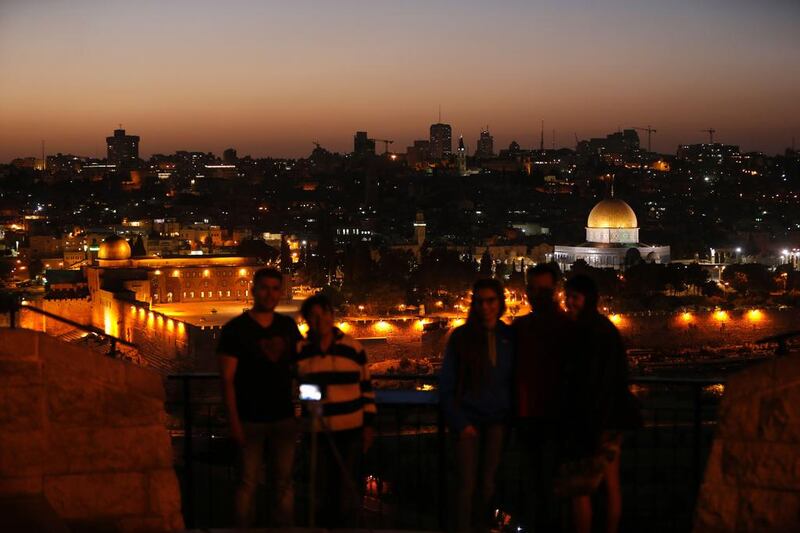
(475, 389)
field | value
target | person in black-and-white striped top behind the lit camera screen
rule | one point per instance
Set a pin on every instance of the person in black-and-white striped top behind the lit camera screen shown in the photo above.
(337, 363)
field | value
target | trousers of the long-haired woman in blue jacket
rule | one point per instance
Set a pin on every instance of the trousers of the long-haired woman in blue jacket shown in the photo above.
(478, 459)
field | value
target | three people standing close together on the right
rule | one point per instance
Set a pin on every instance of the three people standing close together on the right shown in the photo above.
(560, 379)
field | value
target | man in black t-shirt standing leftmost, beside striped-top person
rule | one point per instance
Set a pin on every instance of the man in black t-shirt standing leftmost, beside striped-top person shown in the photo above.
(257, 353)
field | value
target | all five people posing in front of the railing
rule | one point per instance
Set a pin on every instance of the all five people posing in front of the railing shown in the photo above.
(559, 378)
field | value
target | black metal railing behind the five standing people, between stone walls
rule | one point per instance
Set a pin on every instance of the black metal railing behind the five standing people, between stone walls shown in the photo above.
(408, 474)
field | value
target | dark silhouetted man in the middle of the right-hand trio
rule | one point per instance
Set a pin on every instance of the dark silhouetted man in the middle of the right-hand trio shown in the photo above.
(543, 338)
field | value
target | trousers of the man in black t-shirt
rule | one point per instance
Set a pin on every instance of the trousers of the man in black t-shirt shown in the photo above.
(274, 441)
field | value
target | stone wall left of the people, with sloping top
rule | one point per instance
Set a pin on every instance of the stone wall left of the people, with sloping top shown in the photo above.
(86, 432)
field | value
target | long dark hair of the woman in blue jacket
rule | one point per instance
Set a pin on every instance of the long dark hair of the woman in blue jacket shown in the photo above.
(472, 344)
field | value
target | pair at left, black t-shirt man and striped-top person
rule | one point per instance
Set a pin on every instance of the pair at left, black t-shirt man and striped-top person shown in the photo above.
(263, 357)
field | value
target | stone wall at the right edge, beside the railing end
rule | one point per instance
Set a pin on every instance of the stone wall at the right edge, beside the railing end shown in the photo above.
(752, 481)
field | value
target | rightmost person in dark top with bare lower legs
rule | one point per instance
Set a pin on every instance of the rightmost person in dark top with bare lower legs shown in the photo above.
(597, 406)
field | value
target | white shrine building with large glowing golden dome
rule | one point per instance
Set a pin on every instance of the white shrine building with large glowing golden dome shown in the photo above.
(612, 240)
